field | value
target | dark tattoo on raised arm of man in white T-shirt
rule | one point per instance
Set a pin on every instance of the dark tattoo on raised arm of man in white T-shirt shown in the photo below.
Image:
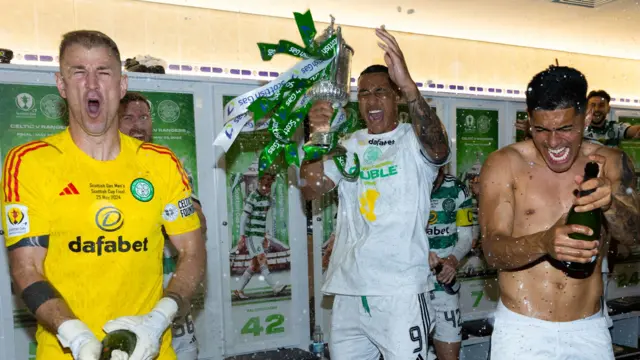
(429, 130)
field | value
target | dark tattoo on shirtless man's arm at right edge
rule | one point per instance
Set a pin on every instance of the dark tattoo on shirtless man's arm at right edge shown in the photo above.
(623, 218)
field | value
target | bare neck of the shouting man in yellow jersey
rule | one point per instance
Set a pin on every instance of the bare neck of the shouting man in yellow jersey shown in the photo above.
(102, 148)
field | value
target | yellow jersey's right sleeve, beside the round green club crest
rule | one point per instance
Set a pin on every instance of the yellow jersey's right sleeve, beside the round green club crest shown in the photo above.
(176, 195)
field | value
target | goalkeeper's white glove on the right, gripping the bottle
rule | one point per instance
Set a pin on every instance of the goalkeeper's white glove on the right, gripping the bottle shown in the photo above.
(148, 328)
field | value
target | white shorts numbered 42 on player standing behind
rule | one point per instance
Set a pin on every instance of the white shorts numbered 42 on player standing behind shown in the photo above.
(447, 322)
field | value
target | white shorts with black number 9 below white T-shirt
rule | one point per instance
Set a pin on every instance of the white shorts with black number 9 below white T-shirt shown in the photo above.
(396, 326)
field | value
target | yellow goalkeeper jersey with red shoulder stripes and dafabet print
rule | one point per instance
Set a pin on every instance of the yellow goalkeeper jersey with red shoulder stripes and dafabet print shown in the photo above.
(102, 217)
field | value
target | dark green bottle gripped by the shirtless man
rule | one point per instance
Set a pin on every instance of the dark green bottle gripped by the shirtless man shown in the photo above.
(591, 219)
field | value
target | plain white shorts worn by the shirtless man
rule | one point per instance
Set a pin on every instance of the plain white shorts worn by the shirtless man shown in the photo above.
(521, 337)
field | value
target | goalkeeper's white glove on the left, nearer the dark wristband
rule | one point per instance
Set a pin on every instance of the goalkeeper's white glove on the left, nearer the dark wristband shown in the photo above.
(75, 335)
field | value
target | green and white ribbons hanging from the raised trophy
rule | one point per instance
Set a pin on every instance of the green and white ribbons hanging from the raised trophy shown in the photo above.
(283, 101)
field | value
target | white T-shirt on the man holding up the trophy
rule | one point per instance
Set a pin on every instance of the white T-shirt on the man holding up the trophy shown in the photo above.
(381, 247)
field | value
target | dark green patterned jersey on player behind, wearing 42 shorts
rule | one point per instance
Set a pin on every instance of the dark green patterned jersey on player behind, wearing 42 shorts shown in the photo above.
(451, 207)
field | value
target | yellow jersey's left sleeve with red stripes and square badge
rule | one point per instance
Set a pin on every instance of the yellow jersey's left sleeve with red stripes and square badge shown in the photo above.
(25, 217)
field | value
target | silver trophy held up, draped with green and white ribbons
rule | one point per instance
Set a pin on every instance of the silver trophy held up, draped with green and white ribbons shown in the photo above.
(335, 88)
